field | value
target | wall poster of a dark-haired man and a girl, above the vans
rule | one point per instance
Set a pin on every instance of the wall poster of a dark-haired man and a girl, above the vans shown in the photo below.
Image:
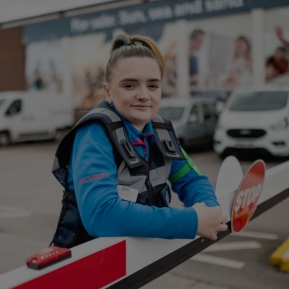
(219, 54)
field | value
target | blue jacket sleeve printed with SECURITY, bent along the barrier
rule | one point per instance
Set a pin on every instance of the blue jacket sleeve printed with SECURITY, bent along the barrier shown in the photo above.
(102, 211)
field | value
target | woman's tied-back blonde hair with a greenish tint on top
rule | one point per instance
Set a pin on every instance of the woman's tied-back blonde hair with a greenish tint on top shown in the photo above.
(125, 46)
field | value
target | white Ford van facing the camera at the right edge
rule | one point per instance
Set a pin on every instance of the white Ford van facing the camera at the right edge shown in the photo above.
(255, 119)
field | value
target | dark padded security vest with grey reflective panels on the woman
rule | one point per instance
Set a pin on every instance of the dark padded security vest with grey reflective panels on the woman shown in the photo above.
(148, 177)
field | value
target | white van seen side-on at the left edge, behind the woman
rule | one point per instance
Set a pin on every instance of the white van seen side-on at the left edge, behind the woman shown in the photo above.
(26, 116)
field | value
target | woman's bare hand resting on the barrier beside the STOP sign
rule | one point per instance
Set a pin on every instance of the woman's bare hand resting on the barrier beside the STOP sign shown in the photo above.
(210, 220)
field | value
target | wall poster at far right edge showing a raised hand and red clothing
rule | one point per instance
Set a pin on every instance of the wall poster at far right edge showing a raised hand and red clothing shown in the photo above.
(277, 46)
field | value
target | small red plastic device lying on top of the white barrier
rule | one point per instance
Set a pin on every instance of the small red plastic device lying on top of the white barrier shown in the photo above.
(47, 257)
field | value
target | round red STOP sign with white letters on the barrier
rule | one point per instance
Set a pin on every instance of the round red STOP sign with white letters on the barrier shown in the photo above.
(247, 196)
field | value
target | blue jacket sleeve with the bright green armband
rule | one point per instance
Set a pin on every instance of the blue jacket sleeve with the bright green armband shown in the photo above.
(192, 187)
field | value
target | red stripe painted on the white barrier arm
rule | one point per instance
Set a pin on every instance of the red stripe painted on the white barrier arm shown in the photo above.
(98, 270)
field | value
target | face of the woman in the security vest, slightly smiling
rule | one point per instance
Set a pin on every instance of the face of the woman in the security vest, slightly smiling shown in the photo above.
(135, 89)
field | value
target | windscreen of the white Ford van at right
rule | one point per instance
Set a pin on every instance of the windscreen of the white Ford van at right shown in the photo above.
(259, 101)
